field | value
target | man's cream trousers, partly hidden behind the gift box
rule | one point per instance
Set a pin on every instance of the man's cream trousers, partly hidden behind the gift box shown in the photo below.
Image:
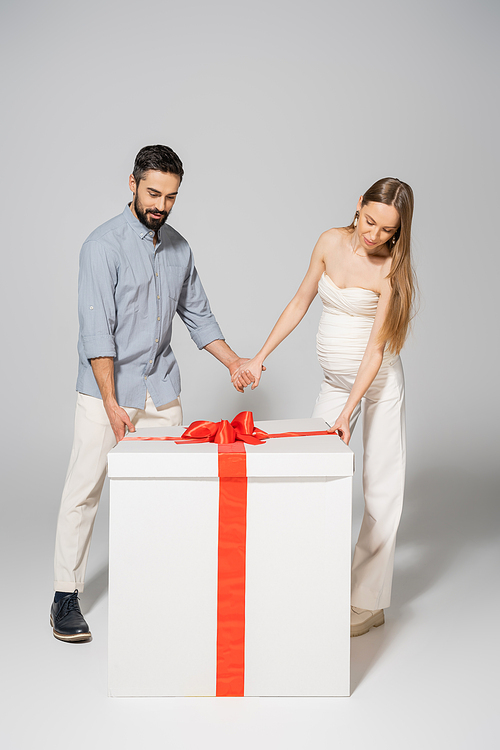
(93, 439)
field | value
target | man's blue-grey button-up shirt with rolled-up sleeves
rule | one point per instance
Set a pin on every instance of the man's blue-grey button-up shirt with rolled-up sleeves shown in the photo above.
(128, 294)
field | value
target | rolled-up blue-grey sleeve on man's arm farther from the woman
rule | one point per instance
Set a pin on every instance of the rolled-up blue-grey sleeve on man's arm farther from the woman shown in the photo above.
(96, 301)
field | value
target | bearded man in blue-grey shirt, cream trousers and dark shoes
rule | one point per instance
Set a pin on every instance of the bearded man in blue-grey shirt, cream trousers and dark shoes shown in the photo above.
(136, 272)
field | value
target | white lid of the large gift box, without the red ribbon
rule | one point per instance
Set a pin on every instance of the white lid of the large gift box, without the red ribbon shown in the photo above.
(315, 455)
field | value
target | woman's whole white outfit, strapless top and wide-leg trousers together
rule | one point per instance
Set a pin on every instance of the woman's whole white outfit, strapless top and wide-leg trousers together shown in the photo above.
(343, 333)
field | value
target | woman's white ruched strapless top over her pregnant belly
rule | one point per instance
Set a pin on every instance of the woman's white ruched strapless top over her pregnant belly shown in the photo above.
(345, 326)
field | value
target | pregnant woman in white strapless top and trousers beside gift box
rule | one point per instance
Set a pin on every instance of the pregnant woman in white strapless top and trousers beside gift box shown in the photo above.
(364, 276)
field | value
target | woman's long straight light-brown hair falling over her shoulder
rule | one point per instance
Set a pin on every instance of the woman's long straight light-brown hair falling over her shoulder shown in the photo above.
(393, 192)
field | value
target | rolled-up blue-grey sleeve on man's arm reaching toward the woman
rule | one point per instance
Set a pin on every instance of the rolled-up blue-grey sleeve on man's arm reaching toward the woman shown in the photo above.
(194, 310)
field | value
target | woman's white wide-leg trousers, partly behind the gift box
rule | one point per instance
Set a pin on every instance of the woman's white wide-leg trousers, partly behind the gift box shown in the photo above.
(384, 444)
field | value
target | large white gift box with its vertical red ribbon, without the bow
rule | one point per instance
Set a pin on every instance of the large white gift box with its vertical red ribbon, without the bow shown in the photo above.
(230, 586)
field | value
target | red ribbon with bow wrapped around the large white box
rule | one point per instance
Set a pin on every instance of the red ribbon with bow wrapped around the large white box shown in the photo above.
(231, 562)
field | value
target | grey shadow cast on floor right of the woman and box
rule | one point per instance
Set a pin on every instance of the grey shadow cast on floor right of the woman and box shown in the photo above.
(448, 513)
